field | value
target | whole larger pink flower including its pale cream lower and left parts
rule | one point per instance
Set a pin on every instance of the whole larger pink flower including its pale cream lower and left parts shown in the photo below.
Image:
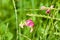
(28, 23)
